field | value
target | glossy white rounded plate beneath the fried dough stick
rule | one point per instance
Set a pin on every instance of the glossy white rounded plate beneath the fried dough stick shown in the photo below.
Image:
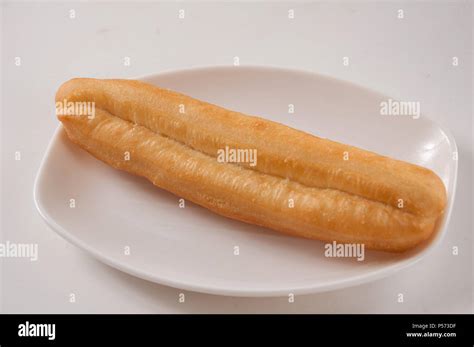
(192, 248)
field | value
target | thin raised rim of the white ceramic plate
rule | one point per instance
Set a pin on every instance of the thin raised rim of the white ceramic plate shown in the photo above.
(347, 282)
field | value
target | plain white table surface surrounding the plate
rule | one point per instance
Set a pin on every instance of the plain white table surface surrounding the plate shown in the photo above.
(409, 59)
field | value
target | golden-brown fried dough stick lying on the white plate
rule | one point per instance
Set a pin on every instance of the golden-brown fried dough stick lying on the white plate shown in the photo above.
(173, 141)
